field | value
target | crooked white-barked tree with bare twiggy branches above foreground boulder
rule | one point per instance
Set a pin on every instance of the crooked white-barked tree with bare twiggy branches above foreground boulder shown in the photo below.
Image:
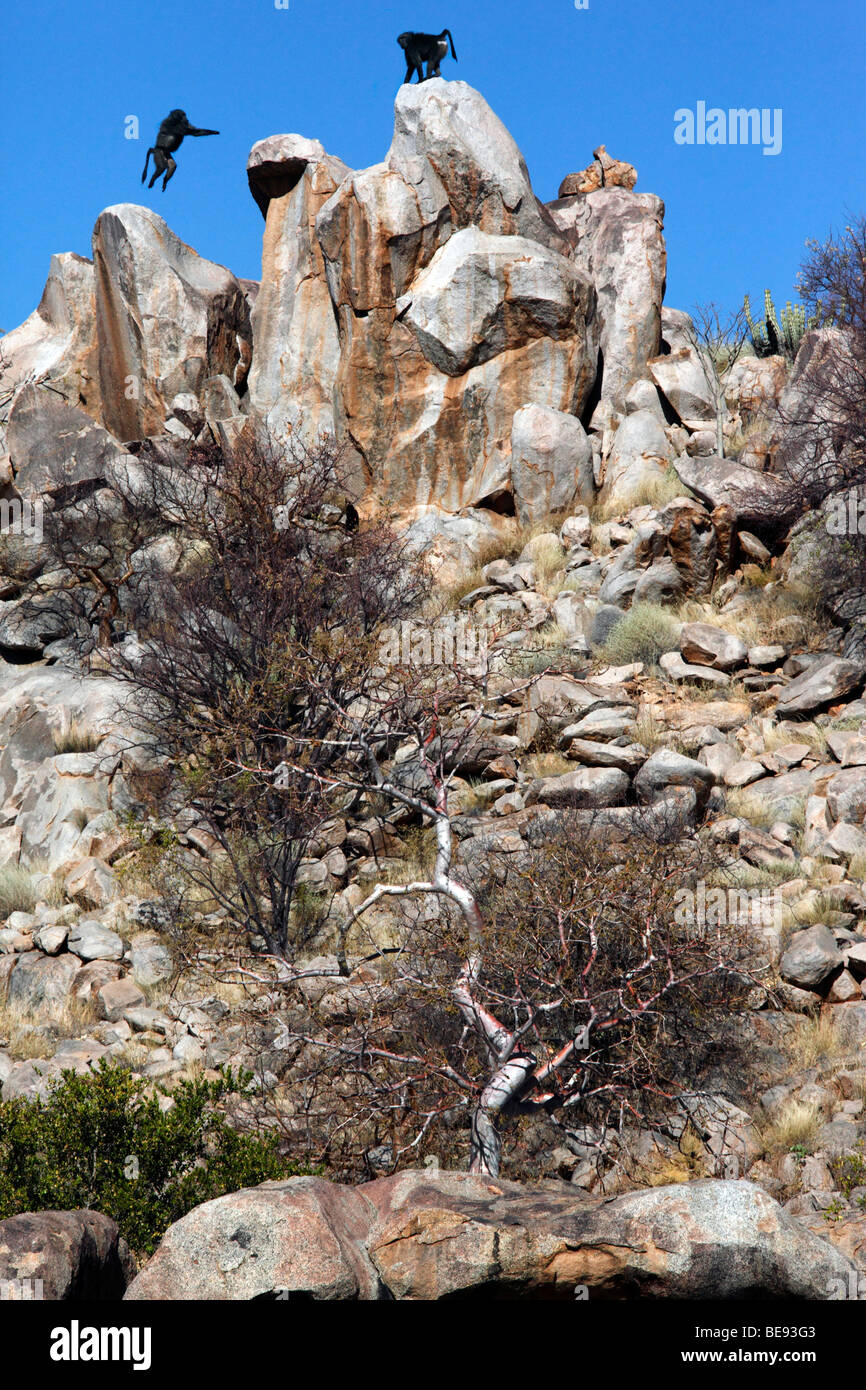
(553, 979)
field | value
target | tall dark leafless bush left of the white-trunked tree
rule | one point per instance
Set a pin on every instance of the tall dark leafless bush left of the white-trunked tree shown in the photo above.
(240, 601)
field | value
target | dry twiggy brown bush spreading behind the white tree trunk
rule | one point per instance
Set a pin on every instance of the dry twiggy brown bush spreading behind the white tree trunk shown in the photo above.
(583, 958)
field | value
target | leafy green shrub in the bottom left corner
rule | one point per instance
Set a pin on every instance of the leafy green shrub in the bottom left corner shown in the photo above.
(104, 1143)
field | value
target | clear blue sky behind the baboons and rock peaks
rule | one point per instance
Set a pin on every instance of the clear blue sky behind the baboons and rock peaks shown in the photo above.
(562, 80)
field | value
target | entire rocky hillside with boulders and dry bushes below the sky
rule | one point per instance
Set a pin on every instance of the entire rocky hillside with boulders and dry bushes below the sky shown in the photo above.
(423, 687)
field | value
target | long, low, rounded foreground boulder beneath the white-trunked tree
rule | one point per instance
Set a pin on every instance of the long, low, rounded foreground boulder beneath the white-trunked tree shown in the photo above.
(455, 1236)
